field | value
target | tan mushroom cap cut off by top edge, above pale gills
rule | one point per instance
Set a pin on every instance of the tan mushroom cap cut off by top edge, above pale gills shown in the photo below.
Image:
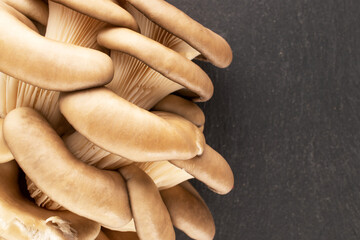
(105, 10)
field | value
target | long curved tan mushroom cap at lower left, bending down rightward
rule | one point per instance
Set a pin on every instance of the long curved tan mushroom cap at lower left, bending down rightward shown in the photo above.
(87, 191)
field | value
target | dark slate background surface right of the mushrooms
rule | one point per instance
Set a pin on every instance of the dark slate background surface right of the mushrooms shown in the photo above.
(286, 115)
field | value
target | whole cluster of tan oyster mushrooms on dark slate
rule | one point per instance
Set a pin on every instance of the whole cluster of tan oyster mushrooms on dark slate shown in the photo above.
(99, 131)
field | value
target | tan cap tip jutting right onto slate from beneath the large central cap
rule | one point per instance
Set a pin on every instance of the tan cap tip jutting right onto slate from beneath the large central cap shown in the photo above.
(210, 168)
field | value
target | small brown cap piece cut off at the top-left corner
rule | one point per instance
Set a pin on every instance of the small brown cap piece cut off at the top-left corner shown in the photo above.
(34, 9)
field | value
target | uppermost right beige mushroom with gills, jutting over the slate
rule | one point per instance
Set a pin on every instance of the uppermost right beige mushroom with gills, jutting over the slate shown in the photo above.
(212, 47)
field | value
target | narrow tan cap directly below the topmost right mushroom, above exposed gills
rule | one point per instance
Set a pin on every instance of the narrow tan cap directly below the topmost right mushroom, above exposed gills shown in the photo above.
(162, 59)
